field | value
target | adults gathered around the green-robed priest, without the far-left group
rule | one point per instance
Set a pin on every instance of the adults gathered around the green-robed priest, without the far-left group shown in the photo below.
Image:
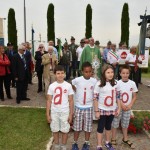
(72, 57)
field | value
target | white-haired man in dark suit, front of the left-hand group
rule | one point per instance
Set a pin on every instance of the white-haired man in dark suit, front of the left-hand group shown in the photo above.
(21, 72)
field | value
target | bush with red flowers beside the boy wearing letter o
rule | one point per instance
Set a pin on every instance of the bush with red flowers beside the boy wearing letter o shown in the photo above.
(138, 121)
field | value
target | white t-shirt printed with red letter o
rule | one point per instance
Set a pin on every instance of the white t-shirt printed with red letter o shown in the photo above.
(126, 90)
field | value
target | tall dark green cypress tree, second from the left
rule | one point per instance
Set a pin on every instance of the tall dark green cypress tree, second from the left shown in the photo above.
(50, 23)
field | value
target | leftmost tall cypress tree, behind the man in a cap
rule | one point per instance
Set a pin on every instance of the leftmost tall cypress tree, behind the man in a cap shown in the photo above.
(12, 31)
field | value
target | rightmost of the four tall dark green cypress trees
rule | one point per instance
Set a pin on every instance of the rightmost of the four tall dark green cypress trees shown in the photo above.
(125, 25)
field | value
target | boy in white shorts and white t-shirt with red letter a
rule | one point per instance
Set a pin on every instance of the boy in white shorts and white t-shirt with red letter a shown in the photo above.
(59, 108)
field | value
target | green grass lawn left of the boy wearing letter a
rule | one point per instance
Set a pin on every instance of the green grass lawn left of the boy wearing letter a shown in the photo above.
(23, 129)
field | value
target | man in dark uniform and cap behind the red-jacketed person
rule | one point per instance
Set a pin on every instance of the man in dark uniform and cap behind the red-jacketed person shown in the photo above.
(10, 53)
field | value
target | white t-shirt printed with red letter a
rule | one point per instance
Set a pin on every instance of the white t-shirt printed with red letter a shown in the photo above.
(60, 93)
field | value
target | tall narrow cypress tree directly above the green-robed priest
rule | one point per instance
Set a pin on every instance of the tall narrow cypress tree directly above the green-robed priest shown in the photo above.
(88, 32)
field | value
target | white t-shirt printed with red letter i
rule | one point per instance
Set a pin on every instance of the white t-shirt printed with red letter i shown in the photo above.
(84, 91)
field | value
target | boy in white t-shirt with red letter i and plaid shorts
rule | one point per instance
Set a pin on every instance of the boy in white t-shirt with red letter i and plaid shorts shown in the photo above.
(83, 114)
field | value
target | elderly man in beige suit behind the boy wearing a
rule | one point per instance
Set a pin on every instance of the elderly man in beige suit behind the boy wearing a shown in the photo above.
(49, 62)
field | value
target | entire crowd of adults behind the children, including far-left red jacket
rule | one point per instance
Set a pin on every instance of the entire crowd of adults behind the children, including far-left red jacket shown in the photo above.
(16, 67)
